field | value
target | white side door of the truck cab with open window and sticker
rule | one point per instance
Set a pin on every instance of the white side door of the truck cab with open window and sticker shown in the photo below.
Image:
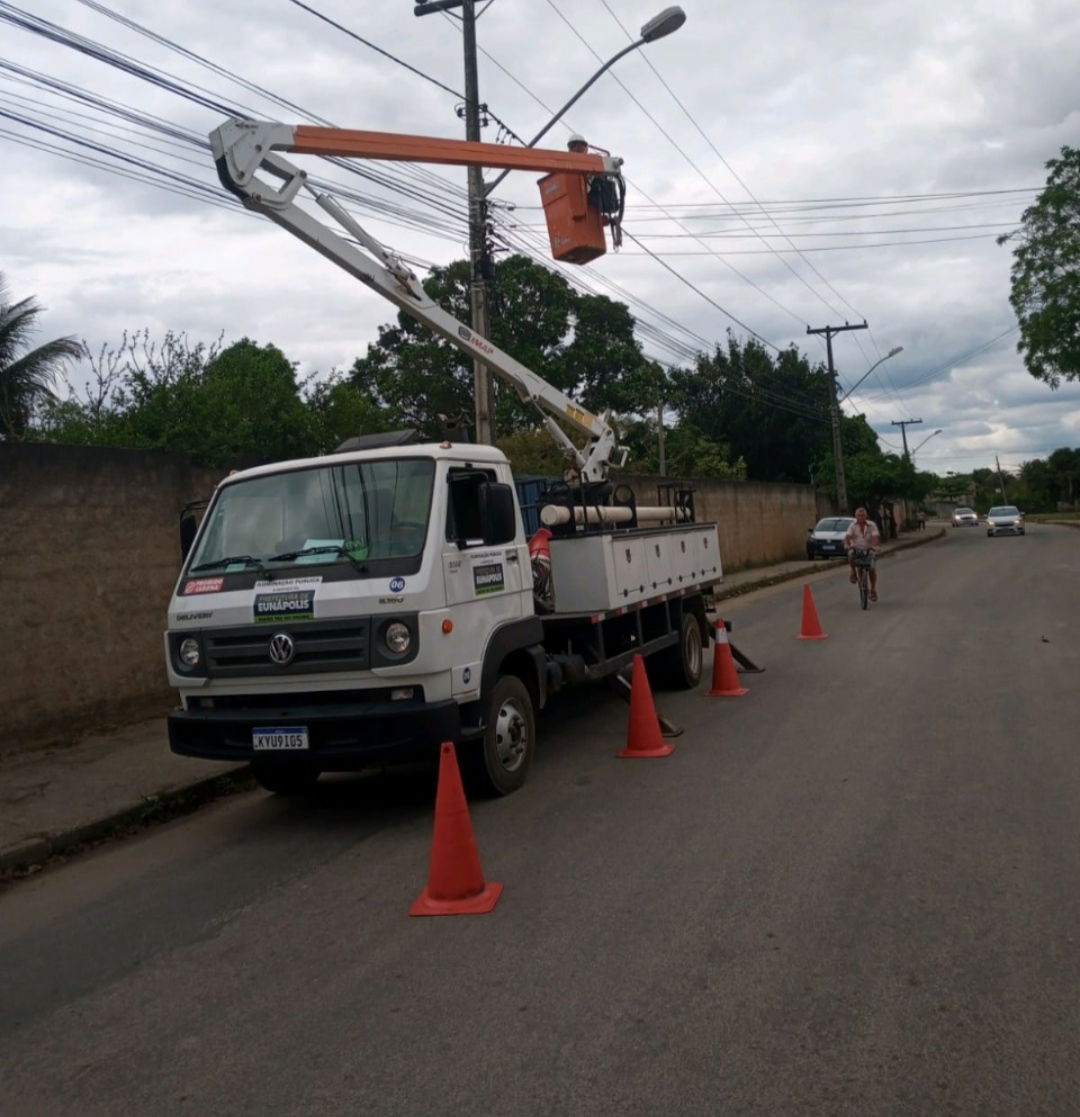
(486, 586)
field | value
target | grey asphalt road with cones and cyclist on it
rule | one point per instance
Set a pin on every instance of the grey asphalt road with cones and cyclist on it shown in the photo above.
(853, 892)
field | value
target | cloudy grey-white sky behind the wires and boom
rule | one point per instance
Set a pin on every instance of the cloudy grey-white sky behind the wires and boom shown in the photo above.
(790, 164)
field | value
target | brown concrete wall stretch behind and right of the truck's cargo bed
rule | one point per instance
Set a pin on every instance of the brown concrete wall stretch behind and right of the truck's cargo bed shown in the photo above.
(760, 523)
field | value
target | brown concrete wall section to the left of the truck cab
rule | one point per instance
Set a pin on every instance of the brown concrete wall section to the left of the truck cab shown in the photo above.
(89, 557)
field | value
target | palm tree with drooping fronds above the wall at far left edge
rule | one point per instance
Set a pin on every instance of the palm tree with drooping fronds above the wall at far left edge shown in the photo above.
(27, 376)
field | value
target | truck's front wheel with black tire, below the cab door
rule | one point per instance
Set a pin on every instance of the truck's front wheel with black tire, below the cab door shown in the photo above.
(498, 763)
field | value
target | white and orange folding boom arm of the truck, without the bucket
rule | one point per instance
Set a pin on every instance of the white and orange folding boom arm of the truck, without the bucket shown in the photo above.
(243, 149)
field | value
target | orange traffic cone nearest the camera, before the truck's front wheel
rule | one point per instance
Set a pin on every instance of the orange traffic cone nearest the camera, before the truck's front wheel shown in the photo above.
(456, 884)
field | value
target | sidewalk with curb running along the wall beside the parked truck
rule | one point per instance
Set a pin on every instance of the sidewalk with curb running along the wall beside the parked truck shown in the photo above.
(58, 799)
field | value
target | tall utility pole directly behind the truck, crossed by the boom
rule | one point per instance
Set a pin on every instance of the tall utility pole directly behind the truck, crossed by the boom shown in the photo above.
(480, 259)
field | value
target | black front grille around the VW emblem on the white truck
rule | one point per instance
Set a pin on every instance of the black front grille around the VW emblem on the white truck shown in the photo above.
(327, 646)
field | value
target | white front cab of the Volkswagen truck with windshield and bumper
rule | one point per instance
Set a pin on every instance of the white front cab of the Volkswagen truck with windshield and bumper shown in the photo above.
(341, 610)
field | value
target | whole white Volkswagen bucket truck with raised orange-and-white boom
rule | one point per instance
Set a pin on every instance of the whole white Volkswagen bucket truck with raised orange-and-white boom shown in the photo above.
(366, 606)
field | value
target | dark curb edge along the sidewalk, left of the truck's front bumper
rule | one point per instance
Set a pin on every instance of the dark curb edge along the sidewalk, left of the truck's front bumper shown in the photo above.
(154, 810)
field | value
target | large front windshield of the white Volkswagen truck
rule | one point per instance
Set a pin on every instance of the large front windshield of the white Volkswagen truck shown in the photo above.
(357, 512)
